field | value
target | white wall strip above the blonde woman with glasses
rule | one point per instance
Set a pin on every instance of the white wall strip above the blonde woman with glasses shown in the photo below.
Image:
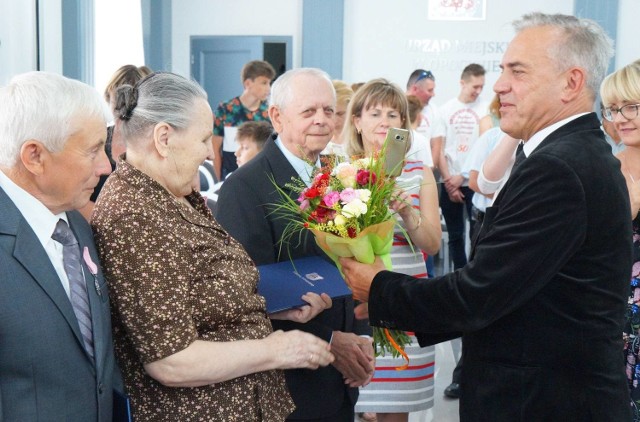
(627, 49)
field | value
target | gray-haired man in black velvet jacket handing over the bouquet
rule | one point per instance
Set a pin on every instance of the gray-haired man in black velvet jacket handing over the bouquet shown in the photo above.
(541, 304)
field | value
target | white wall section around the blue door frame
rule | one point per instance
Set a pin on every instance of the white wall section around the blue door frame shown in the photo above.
(235, 17)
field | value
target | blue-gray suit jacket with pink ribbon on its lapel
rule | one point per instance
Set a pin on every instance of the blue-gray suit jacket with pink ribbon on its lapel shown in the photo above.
(45, 372)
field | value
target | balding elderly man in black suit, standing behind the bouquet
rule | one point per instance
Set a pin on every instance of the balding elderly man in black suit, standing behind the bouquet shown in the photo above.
(301, 110)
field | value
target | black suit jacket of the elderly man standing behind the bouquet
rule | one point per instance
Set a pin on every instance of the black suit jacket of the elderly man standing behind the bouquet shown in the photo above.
(244, 210)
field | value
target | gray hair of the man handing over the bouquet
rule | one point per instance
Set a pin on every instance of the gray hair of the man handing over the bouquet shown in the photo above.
(585, 45)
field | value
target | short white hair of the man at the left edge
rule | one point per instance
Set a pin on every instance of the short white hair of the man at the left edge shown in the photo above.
(46, 107)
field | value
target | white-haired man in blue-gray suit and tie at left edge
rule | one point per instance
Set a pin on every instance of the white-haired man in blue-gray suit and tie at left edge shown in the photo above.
(54, 364)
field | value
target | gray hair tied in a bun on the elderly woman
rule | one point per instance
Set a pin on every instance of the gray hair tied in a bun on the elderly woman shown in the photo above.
(160, 97)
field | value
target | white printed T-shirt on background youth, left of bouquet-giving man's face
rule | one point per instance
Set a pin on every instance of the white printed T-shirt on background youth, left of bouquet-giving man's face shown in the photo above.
(462, 122)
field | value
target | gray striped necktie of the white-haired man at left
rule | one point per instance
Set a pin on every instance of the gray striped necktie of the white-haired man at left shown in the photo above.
(77, 285)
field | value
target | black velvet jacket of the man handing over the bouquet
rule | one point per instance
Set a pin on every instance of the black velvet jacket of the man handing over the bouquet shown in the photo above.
(541, 303)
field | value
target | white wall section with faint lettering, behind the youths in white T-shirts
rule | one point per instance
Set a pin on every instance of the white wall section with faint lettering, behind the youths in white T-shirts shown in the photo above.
(383, 39)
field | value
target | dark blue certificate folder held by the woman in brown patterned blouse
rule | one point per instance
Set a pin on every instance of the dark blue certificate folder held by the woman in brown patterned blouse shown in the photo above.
(284, 283)
